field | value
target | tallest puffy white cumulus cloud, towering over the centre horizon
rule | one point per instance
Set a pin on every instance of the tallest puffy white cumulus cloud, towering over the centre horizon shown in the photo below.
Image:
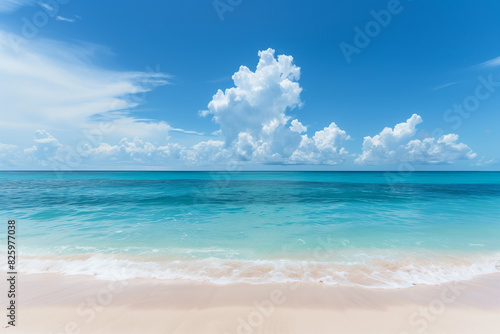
(253, 117)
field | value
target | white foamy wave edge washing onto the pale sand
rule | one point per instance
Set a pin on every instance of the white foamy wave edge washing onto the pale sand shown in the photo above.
(372, 272)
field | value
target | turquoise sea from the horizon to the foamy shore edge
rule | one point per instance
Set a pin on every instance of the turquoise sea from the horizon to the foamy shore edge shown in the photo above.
(353, 228)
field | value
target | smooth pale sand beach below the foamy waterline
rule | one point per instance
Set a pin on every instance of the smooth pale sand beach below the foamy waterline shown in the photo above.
(71, 304)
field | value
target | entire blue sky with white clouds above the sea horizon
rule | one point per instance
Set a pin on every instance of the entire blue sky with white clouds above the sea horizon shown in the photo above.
(129, 85)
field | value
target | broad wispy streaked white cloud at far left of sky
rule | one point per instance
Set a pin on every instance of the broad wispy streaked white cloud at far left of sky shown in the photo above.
(53, 85)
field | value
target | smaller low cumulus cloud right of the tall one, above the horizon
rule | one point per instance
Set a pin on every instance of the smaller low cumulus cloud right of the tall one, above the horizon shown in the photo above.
(391, 146)
